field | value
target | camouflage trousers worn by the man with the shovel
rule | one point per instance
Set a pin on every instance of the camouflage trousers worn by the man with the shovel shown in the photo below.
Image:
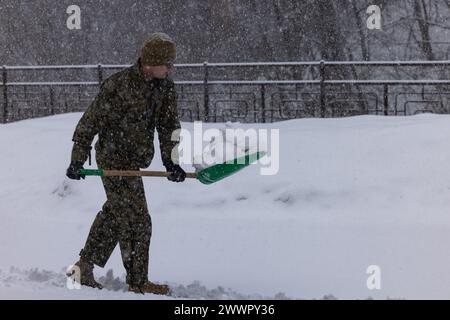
(124, 219)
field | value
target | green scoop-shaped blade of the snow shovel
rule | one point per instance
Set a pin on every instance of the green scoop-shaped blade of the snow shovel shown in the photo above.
(220, 171)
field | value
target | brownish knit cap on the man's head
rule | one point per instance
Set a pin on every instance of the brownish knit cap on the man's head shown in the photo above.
(158, 49)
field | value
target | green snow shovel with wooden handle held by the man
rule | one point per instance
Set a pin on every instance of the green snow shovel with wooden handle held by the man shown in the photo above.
(206, 176)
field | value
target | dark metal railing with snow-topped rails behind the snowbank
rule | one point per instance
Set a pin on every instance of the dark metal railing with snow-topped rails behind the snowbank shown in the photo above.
(211, 92)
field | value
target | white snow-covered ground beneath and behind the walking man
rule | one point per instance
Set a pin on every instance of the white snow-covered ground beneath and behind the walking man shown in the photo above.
(350, 193)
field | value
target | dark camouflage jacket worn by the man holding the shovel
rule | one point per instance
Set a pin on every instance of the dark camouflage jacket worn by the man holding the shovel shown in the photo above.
(125, 114)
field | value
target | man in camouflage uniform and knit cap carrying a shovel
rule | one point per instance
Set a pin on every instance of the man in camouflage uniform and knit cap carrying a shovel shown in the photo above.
(129, 106)
